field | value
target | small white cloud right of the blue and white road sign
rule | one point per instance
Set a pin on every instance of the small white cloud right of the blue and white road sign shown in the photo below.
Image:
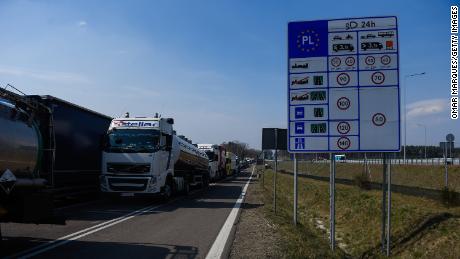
(426, 107)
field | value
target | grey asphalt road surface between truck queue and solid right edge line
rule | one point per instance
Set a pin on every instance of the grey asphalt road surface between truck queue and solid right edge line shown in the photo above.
(185, 227)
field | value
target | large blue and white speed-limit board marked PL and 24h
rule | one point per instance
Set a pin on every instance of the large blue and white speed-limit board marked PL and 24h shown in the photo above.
(343, 85)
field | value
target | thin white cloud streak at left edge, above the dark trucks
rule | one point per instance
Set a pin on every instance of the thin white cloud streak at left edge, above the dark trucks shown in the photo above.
(44, 75)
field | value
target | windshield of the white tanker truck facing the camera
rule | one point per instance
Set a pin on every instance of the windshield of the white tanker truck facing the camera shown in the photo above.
(133, 141)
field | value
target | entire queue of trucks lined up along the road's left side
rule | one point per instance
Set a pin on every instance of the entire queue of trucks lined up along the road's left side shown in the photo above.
(50, 148)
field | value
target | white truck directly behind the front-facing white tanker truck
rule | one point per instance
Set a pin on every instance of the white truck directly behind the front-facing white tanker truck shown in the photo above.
(216, 156)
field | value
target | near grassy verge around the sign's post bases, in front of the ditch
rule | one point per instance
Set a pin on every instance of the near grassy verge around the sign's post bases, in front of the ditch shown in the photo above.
(421, 228)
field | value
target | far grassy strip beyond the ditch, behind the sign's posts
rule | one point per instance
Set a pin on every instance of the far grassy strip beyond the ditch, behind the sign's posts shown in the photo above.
(425, 176)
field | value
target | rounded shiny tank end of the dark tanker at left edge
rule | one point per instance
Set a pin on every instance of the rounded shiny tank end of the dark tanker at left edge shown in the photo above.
(20, 142)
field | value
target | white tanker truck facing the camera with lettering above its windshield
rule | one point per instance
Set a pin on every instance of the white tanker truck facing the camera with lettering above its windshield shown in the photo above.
(145, 156)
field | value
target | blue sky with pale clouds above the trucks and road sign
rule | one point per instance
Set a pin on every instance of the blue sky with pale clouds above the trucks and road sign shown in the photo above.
(217, 67)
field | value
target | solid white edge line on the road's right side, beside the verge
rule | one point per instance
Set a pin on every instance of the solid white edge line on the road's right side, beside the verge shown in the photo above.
(218, 246)
